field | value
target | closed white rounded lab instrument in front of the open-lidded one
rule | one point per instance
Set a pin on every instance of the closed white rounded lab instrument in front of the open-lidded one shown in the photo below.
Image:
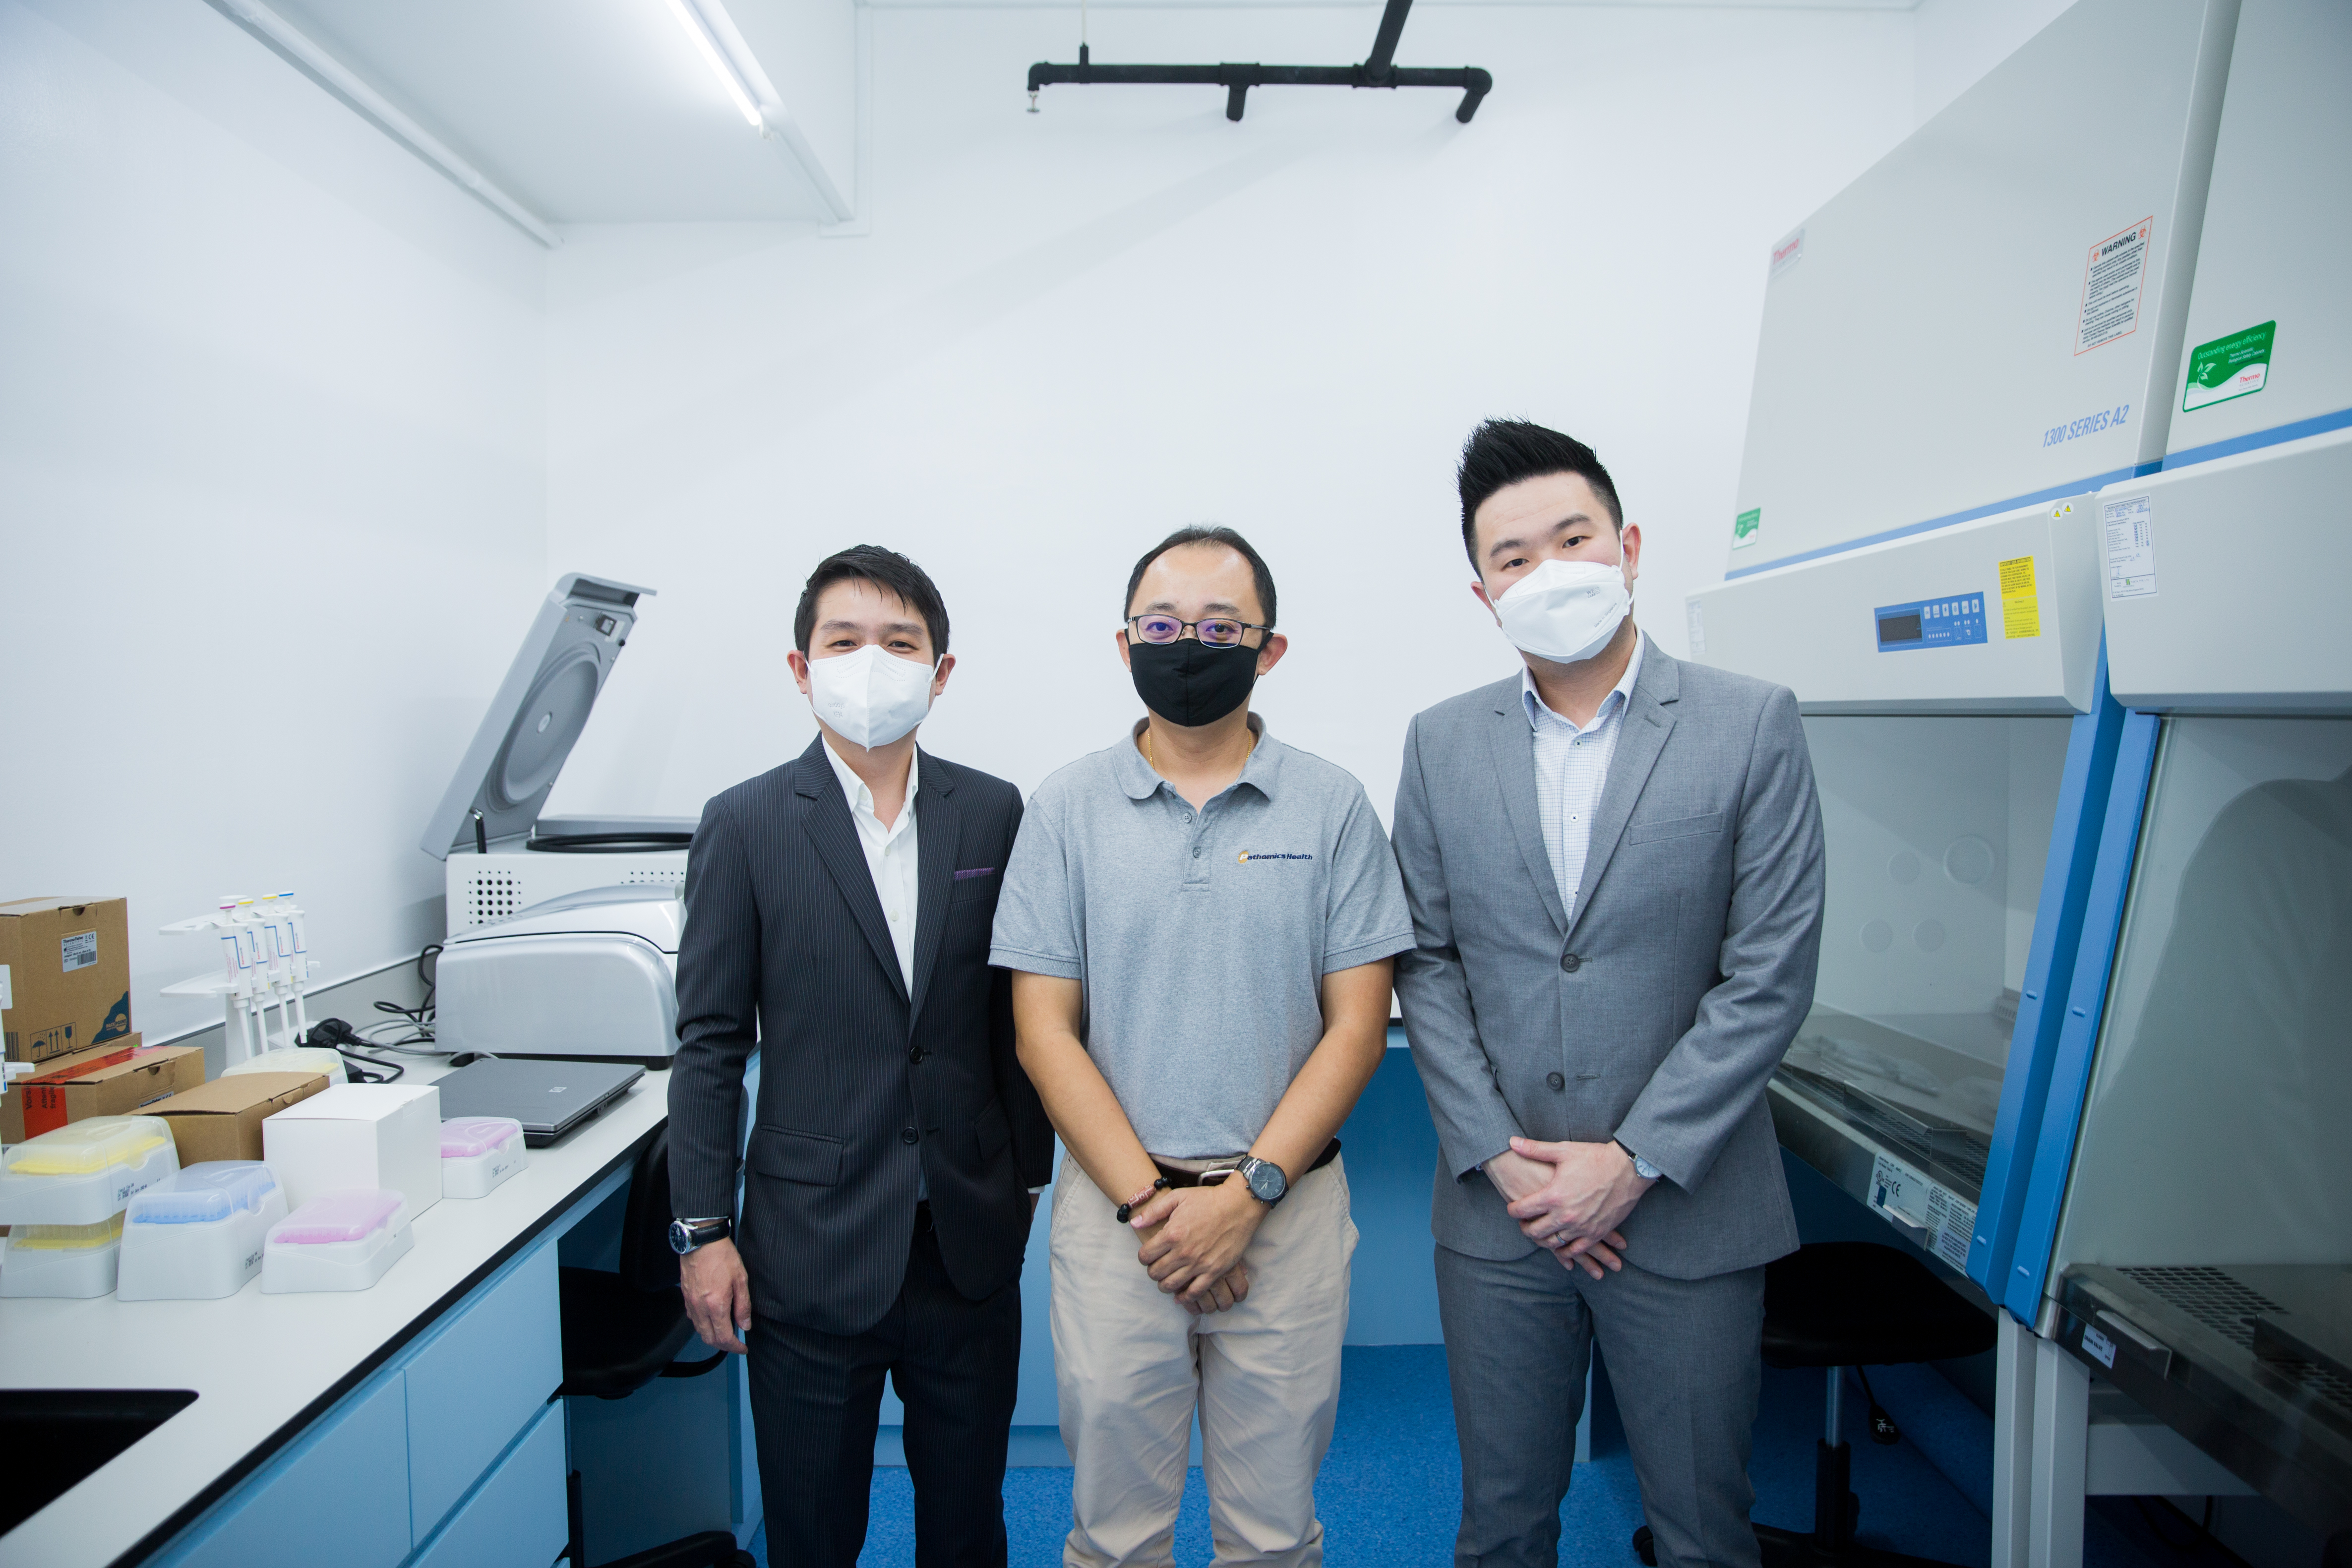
(587, 977)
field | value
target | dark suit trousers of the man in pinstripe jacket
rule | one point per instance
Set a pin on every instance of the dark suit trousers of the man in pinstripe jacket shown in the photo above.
(817, 1400)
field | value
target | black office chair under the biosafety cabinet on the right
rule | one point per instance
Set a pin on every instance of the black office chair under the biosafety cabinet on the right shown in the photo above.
(1836, 1306)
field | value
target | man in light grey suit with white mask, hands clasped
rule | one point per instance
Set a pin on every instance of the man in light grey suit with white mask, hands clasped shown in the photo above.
(1615, 871)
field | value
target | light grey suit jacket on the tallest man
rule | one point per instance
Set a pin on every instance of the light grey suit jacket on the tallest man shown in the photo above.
(1662, 1010)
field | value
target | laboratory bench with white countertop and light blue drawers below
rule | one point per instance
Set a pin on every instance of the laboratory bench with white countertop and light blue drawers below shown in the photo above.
(410, 1423)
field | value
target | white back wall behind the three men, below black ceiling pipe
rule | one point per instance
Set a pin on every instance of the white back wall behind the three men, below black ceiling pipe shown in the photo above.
(1078, 330)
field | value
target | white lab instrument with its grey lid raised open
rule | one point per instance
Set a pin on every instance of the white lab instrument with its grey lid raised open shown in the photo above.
(500, 855)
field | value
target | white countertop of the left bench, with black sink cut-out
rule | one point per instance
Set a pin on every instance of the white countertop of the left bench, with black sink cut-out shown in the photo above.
(260, 1362)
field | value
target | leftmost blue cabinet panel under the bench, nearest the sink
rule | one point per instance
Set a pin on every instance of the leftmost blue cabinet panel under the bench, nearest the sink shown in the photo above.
(338, 1496)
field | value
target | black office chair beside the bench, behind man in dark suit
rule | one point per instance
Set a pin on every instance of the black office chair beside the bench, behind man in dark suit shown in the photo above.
(627, 1329)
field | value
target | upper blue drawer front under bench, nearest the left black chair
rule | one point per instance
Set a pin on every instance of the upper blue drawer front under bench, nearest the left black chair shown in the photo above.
(479, 1381)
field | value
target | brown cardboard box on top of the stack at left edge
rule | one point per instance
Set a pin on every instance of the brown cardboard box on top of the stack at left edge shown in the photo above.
(65, 977)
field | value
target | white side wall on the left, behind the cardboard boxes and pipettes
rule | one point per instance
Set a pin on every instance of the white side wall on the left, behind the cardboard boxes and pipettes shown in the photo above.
(272, 504)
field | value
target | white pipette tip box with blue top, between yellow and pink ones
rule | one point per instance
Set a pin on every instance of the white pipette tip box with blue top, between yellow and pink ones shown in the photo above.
(199, 1233)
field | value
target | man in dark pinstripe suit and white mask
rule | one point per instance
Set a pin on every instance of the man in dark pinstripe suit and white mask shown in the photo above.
(838, 916)
